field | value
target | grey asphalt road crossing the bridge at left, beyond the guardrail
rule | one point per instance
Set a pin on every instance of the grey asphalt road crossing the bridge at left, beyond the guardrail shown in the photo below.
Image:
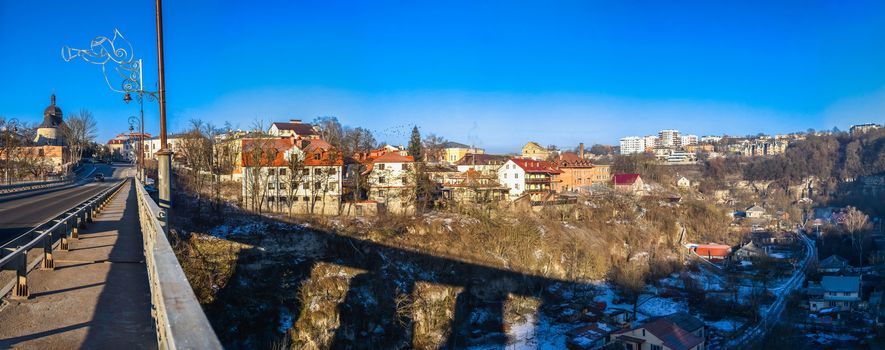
(17, 216)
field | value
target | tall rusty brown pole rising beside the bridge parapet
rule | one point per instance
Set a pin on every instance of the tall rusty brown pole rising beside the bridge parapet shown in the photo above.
(164, 167)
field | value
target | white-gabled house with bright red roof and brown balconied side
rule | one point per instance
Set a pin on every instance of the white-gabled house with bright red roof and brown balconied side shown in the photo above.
(528, 176)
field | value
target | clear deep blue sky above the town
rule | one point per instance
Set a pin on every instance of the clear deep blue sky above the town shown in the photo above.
(495, 74)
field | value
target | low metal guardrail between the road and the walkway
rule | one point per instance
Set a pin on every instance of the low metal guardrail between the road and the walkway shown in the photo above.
(14, 254)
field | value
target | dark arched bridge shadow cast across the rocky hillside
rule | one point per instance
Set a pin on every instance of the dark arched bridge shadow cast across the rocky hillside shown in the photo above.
(267, 279)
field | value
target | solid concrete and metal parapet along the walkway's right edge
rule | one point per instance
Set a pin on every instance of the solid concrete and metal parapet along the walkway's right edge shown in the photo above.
(181, 323)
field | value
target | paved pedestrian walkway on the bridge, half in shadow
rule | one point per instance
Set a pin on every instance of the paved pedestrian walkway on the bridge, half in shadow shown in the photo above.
(98, 295)
